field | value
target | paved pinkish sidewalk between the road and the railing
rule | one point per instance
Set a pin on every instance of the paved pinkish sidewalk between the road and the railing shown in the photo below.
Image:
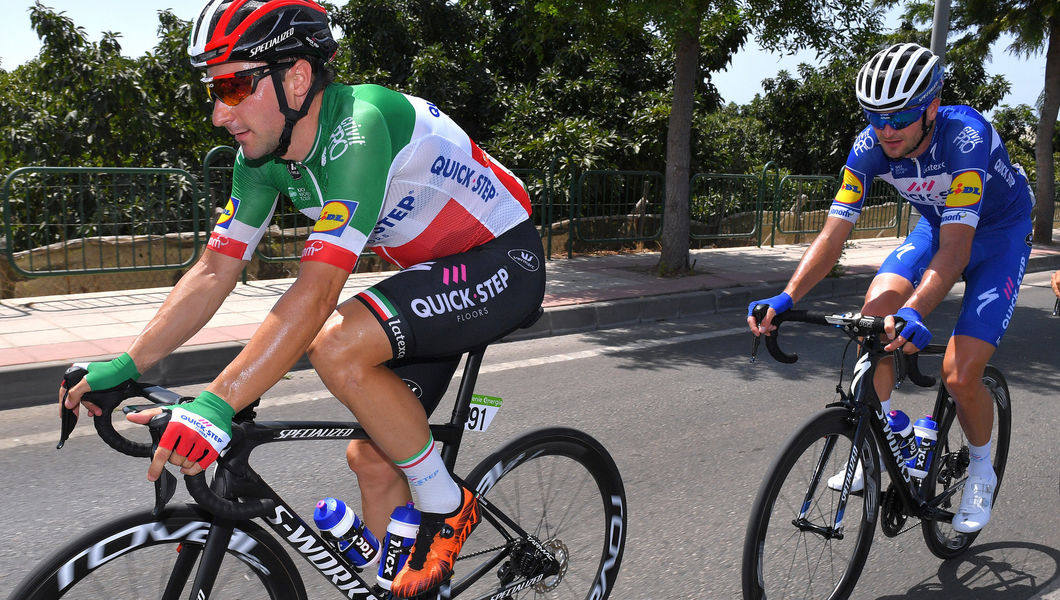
(40, 338)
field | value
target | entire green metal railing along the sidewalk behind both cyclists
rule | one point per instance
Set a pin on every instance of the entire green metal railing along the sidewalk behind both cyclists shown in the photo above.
(68, 221)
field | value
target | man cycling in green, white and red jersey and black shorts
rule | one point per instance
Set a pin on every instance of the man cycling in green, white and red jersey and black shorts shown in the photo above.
(375, 169)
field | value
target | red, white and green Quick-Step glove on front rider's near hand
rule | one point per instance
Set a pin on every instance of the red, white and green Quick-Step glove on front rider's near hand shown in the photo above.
(200, 430)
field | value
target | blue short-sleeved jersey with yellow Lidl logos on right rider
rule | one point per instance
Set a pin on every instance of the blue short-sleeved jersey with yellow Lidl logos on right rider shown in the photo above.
(965, 177)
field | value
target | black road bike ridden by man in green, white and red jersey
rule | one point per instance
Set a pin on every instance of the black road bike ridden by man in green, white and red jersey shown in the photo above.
(553, 503)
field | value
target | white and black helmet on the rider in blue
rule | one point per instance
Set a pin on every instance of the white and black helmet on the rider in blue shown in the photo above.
(902, 77)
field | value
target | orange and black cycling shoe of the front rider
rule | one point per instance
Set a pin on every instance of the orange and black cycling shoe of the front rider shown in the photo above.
(436, 549)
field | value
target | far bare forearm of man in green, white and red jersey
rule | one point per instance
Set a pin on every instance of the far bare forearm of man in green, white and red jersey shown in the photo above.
(186, 311)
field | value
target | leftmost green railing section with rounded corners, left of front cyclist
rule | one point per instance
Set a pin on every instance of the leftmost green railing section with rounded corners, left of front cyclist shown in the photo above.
(62, 221)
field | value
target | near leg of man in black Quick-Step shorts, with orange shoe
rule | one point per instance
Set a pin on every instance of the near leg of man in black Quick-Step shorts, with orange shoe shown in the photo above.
(438, 309)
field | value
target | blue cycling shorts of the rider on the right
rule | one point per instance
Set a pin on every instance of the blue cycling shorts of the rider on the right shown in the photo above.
(993, 278)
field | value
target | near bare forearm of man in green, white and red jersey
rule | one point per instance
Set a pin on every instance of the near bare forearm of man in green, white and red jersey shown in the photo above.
(284, 338)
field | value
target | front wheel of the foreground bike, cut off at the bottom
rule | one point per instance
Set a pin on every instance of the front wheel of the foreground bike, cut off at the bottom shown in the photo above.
(133, 558)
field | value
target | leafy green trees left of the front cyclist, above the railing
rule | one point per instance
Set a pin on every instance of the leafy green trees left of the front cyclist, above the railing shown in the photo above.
(83, 104)
